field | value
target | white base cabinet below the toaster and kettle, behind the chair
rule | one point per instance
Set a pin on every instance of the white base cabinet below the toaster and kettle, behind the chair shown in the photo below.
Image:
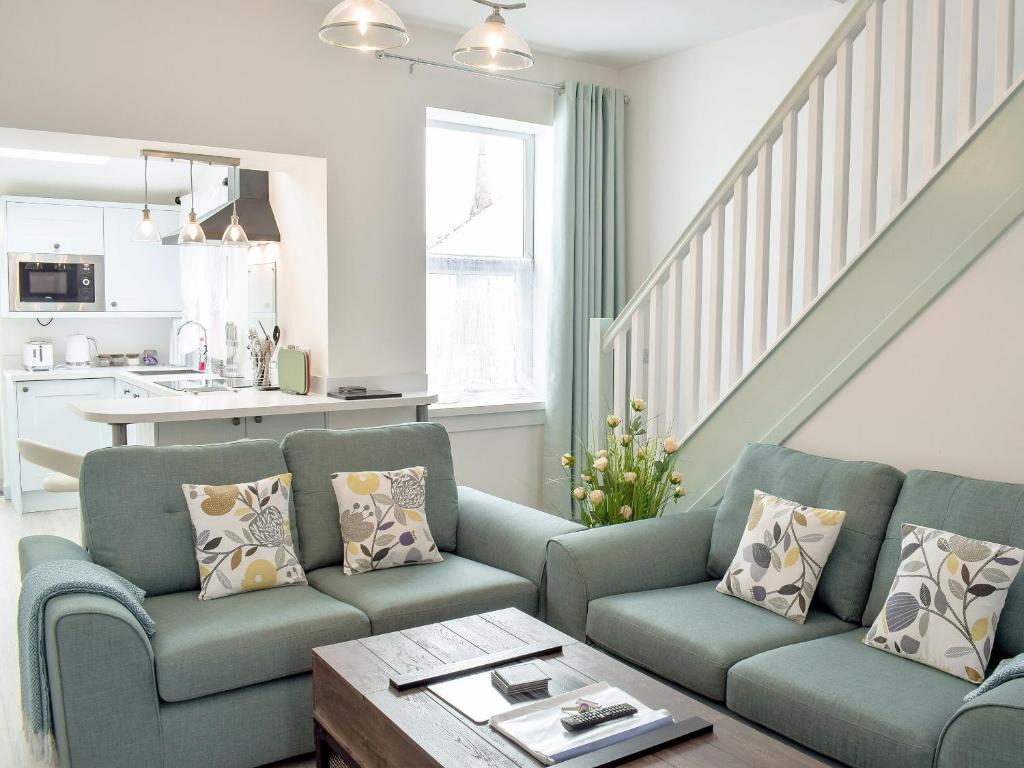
(44, 416)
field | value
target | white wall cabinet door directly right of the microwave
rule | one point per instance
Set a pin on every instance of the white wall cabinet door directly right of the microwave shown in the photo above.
(142, 277)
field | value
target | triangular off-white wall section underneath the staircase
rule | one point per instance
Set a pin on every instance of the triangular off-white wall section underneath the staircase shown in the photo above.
(946, 395)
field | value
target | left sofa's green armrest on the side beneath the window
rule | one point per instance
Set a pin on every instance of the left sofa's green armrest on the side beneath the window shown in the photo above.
(506, 535)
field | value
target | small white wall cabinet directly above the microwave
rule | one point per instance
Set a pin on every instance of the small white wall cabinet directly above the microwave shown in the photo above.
(55, 228)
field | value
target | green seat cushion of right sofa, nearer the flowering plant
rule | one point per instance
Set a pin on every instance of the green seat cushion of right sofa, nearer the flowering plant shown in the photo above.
(693, 635)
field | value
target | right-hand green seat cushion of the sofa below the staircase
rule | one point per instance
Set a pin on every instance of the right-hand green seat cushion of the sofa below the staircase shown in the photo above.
(858, 705)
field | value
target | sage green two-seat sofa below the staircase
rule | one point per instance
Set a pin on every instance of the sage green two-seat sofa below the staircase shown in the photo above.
(646, 592)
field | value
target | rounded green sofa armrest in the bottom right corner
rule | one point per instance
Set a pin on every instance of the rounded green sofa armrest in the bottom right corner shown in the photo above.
(989, 731)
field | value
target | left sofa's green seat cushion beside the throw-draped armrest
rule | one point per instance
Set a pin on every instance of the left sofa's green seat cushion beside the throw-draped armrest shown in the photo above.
(209, 647)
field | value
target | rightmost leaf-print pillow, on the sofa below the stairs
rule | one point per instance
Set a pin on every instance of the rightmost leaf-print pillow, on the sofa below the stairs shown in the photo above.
(946, 602)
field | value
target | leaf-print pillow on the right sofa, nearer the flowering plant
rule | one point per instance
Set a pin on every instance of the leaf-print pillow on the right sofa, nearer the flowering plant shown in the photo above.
(782, 556)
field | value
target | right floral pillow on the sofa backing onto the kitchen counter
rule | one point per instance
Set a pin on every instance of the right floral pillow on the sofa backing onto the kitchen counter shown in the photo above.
(385, 520)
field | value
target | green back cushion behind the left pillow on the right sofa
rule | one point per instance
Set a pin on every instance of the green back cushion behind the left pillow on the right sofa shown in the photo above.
(866, 491)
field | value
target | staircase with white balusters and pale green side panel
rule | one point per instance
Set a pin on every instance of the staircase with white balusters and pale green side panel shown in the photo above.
(870, 190)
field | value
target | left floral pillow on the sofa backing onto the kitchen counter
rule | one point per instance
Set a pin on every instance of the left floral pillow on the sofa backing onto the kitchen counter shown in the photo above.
(242, 537)
